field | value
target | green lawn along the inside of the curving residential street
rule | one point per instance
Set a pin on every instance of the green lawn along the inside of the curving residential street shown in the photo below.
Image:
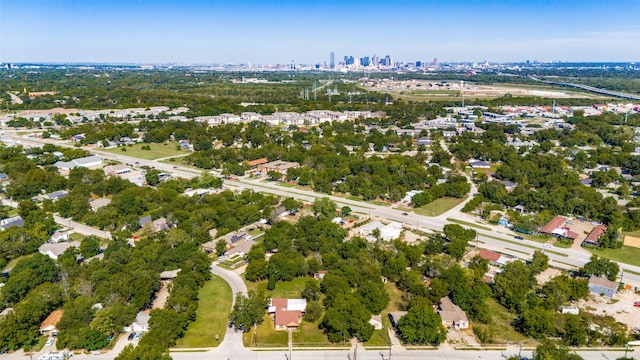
(212, 316)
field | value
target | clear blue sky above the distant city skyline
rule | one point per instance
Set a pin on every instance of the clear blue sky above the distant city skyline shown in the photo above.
(279, 31)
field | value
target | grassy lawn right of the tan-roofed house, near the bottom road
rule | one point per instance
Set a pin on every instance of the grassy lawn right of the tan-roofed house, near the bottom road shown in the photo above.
(500, 330)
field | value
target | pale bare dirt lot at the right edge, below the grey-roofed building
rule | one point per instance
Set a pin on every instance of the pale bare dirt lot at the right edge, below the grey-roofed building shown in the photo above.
(621, 308)
